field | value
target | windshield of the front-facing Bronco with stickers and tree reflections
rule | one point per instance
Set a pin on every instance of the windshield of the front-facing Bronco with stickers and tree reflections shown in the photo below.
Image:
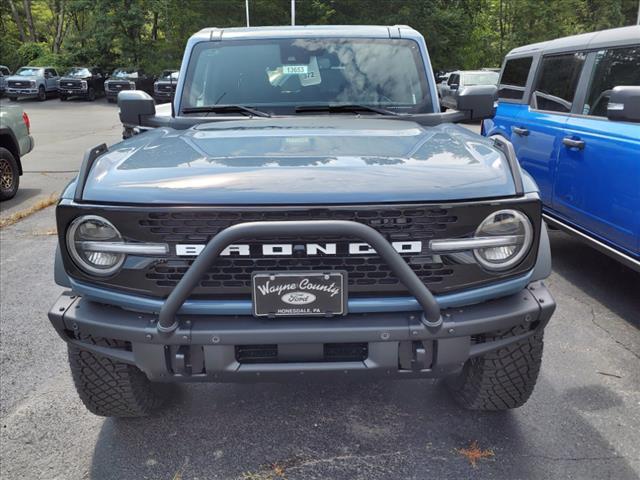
(280, 74)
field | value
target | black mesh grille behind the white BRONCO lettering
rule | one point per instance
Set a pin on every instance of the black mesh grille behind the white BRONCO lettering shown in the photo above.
(233, 274)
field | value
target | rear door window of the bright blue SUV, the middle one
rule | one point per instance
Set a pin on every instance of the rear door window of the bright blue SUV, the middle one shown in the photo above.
(557, 82)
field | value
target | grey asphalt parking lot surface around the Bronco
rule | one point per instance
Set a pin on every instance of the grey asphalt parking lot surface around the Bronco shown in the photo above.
(582, 422)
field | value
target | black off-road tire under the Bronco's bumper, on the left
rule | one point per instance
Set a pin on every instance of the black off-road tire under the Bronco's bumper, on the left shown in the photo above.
(113, 389)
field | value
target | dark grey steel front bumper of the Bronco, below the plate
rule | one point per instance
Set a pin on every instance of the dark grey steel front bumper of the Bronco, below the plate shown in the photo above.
(398, 344)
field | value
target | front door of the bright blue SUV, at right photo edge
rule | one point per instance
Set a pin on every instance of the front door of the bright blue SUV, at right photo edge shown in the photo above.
(598, 173)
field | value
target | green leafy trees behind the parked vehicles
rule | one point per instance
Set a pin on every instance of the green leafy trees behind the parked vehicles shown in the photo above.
(152, 33)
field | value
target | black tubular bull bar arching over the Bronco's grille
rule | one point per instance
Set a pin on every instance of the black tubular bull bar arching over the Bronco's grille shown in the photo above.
(168, 321)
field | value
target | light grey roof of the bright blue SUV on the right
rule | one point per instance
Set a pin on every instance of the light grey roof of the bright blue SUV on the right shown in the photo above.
(585, 41)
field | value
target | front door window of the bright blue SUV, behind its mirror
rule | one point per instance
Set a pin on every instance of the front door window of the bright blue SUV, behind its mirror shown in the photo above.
(613, 68)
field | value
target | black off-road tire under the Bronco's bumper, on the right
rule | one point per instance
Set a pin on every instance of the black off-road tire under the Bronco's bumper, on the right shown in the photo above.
(502, 379)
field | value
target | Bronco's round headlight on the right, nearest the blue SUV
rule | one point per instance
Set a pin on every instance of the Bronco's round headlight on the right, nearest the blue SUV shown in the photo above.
(504, 223)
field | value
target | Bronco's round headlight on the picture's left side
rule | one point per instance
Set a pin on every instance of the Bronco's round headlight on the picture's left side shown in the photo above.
(83, 239)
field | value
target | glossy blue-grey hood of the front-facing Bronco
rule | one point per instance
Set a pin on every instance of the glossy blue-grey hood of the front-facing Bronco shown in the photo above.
(302, 160)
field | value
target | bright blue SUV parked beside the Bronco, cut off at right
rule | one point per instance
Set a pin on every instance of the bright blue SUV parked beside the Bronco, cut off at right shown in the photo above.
(571, 109)
